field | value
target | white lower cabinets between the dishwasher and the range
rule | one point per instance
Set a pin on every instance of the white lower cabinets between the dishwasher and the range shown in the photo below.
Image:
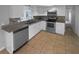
(36, 28)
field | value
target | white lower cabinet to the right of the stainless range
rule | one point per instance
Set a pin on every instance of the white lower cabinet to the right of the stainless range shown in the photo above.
(60, 28)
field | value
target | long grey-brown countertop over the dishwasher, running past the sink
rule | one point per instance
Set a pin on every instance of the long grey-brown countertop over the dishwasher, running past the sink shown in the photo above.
(16, 26)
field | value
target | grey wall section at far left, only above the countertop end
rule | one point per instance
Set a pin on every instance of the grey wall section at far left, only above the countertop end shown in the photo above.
(4, 14)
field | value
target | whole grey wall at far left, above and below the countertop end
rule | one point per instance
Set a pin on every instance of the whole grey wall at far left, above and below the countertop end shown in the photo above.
(4, 19)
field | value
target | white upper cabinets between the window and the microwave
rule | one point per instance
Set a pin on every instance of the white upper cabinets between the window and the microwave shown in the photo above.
(40, 10)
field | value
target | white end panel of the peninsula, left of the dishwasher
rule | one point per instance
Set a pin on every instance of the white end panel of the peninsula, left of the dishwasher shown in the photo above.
(9, 41)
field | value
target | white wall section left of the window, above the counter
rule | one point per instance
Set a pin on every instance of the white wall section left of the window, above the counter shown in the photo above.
(16, 11)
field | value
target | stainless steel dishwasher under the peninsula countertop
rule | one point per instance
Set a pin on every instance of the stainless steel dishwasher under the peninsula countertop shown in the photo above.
(20, 37)
